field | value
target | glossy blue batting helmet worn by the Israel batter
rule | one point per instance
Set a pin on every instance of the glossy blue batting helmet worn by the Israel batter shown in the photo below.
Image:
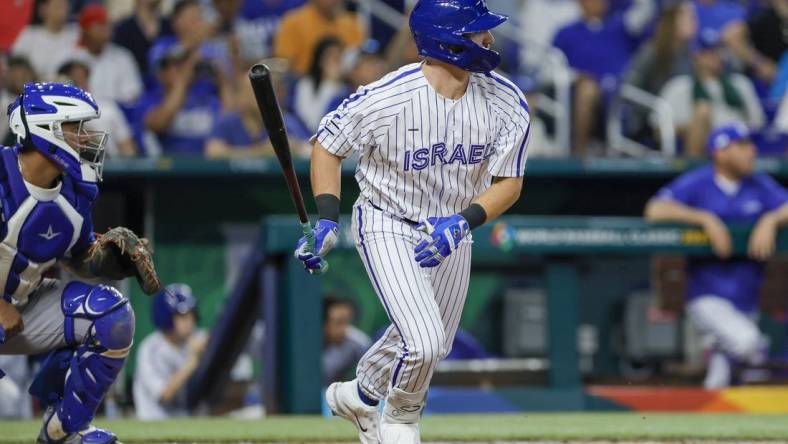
(440, 27)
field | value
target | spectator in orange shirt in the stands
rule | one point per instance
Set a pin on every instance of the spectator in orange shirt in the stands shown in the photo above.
(302, 29)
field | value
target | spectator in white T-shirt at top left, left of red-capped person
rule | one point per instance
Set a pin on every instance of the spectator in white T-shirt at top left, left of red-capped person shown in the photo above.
(47, 45)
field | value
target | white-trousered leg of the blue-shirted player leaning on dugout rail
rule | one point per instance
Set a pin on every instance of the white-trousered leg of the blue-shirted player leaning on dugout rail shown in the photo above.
(736, 336)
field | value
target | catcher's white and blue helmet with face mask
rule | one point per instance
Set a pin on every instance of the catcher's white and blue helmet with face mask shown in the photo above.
(36, 118)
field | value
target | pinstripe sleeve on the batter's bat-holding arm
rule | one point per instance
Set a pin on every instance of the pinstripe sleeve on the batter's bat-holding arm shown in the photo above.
(340, 132)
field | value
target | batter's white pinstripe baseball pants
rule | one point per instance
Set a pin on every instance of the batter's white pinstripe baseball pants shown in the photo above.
(424, 305)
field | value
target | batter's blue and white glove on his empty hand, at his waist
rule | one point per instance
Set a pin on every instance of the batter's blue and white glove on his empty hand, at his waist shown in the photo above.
(446, 234)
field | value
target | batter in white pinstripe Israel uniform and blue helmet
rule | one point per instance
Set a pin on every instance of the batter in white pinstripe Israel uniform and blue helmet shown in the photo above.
(442, 150)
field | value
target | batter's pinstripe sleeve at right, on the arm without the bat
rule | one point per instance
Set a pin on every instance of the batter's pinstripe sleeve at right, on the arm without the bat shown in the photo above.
(511, 147)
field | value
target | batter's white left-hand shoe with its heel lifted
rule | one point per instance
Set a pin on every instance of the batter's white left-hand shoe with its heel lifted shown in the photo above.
(343, 399)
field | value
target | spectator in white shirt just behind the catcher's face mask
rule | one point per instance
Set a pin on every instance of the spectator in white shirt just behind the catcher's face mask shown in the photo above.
(120, 142)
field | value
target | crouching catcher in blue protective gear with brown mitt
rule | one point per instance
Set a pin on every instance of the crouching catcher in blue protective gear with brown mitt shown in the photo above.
(48, 185)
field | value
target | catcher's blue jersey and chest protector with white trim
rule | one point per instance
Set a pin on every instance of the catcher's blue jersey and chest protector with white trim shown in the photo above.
(38, 226)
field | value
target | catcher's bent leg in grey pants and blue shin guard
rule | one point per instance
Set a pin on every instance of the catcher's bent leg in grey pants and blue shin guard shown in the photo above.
(89, 330)
